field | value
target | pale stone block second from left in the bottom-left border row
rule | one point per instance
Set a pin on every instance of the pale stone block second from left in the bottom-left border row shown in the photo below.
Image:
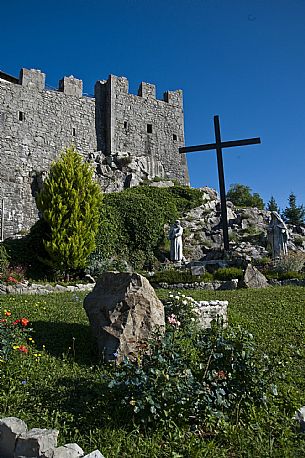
(36, 443)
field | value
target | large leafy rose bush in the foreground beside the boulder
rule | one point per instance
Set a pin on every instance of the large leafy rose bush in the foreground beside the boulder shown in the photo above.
(192, 375)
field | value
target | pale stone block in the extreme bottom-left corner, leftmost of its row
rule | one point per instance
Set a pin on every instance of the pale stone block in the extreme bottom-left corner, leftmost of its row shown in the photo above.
(10, 429)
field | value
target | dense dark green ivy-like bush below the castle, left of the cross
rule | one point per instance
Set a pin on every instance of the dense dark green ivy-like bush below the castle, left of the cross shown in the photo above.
(133, 222)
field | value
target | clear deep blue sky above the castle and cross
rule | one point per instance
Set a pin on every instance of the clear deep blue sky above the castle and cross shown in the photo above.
(241, 59)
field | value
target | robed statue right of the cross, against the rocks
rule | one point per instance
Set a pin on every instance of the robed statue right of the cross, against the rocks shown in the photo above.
(278, 236)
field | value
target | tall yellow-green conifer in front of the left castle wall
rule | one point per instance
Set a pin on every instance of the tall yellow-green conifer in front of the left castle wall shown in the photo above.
(70, 205)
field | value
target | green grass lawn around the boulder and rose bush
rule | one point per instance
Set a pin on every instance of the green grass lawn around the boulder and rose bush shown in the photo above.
(57, 384)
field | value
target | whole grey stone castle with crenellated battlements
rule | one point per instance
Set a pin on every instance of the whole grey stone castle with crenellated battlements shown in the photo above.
(126, 137)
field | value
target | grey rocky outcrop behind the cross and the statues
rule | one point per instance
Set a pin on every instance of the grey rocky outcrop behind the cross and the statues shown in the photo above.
(247, 231)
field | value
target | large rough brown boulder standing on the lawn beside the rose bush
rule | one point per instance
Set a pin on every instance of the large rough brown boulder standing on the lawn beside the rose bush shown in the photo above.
(123, 311)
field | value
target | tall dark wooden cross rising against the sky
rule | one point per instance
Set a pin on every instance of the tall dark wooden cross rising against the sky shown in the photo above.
(218, 145)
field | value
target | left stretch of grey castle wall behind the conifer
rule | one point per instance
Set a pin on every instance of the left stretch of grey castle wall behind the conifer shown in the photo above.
(36, 124)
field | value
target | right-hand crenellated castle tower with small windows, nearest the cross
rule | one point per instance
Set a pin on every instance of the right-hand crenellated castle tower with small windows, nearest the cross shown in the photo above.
(146, 127)
